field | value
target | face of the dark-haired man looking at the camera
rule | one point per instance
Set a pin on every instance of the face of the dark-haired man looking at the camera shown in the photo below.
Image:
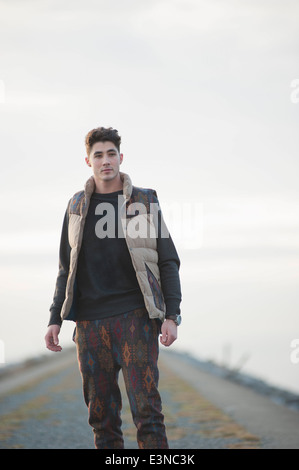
(105, 160)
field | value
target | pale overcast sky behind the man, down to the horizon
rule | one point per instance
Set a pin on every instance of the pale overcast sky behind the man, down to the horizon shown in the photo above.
(201, 93)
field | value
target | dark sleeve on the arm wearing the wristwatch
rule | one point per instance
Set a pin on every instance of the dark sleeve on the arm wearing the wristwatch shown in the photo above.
(169, 265)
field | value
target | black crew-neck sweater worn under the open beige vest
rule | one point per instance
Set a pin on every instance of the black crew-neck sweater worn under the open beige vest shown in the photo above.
(106, 279)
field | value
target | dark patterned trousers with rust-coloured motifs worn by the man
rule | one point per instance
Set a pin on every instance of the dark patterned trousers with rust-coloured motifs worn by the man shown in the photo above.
(128, 342)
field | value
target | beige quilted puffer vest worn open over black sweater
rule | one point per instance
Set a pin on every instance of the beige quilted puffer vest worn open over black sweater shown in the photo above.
(143, 250)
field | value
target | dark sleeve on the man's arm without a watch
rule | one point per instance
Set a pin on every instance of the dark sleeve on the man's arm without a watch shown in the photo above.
(64, 263)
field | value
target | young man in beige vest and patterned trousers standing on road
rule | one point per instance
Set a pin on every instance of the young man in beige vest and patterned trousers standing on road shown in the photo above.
(118, 280)
